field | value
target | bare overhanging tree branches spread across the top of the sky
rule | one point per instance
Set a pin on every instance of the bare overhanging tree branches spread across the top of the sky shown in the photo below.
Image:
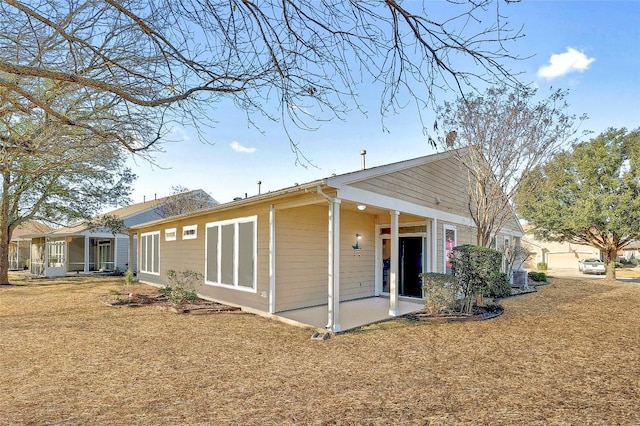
(145, 65)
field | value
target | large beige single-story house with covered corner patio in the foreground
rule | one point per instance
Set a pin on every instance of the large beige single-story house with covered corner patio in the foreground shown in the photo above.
(358, 235)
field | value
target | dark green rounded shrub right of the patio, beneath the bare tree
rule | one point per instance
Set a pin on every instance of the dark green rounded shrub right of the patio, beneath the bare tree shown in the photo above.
(476, 269)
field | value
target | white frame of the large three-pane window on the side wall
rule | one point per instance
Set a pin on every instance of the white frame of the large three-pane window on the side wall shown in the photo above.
(236, 249)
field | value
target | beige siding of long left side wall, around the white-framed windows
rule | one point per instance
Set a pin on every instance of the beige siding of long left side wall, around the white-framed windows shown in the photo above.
(189, 254)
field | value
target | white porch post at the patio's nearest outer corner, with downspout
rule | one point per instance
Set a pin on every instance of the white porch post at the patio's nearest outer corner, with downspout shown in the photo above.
(333, 307)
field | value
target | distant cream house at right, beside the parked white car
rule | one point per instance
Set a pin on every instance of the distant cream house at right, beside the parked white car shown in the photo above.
(555, 255)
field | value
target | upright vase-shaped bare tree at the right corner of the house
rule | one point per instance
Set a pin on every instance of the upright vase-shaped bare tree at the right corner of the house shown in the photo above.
(500, 136)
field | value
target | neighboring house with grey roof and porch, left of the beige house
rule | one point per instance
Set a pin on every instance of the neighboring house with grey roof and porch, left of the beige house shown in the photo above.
(84, 248)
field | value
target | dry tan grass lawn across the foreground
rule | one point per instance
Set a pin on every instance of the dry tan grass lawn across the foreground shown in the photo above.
(567, 355)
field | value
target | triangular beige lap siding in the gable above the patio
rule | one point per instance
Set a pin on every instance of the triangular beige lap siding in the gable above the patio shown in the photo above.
(422, 184)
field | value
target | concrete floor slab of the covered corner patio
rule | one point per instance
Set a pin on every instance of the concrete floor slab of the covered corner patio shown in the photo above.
(353, 313)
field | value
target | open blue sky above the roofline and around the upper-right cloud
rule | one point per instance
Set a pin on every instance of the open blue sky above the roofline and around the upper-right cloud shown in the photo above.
(591, 48)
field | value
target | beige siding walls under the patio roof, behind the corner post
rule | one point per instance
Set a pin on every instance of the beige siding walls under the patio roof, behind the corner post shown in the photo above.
(302, 239)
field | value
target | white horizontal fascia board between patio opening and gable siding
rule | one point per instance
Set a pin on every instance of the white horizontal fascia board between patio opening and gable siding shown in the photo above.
(361, 196)
